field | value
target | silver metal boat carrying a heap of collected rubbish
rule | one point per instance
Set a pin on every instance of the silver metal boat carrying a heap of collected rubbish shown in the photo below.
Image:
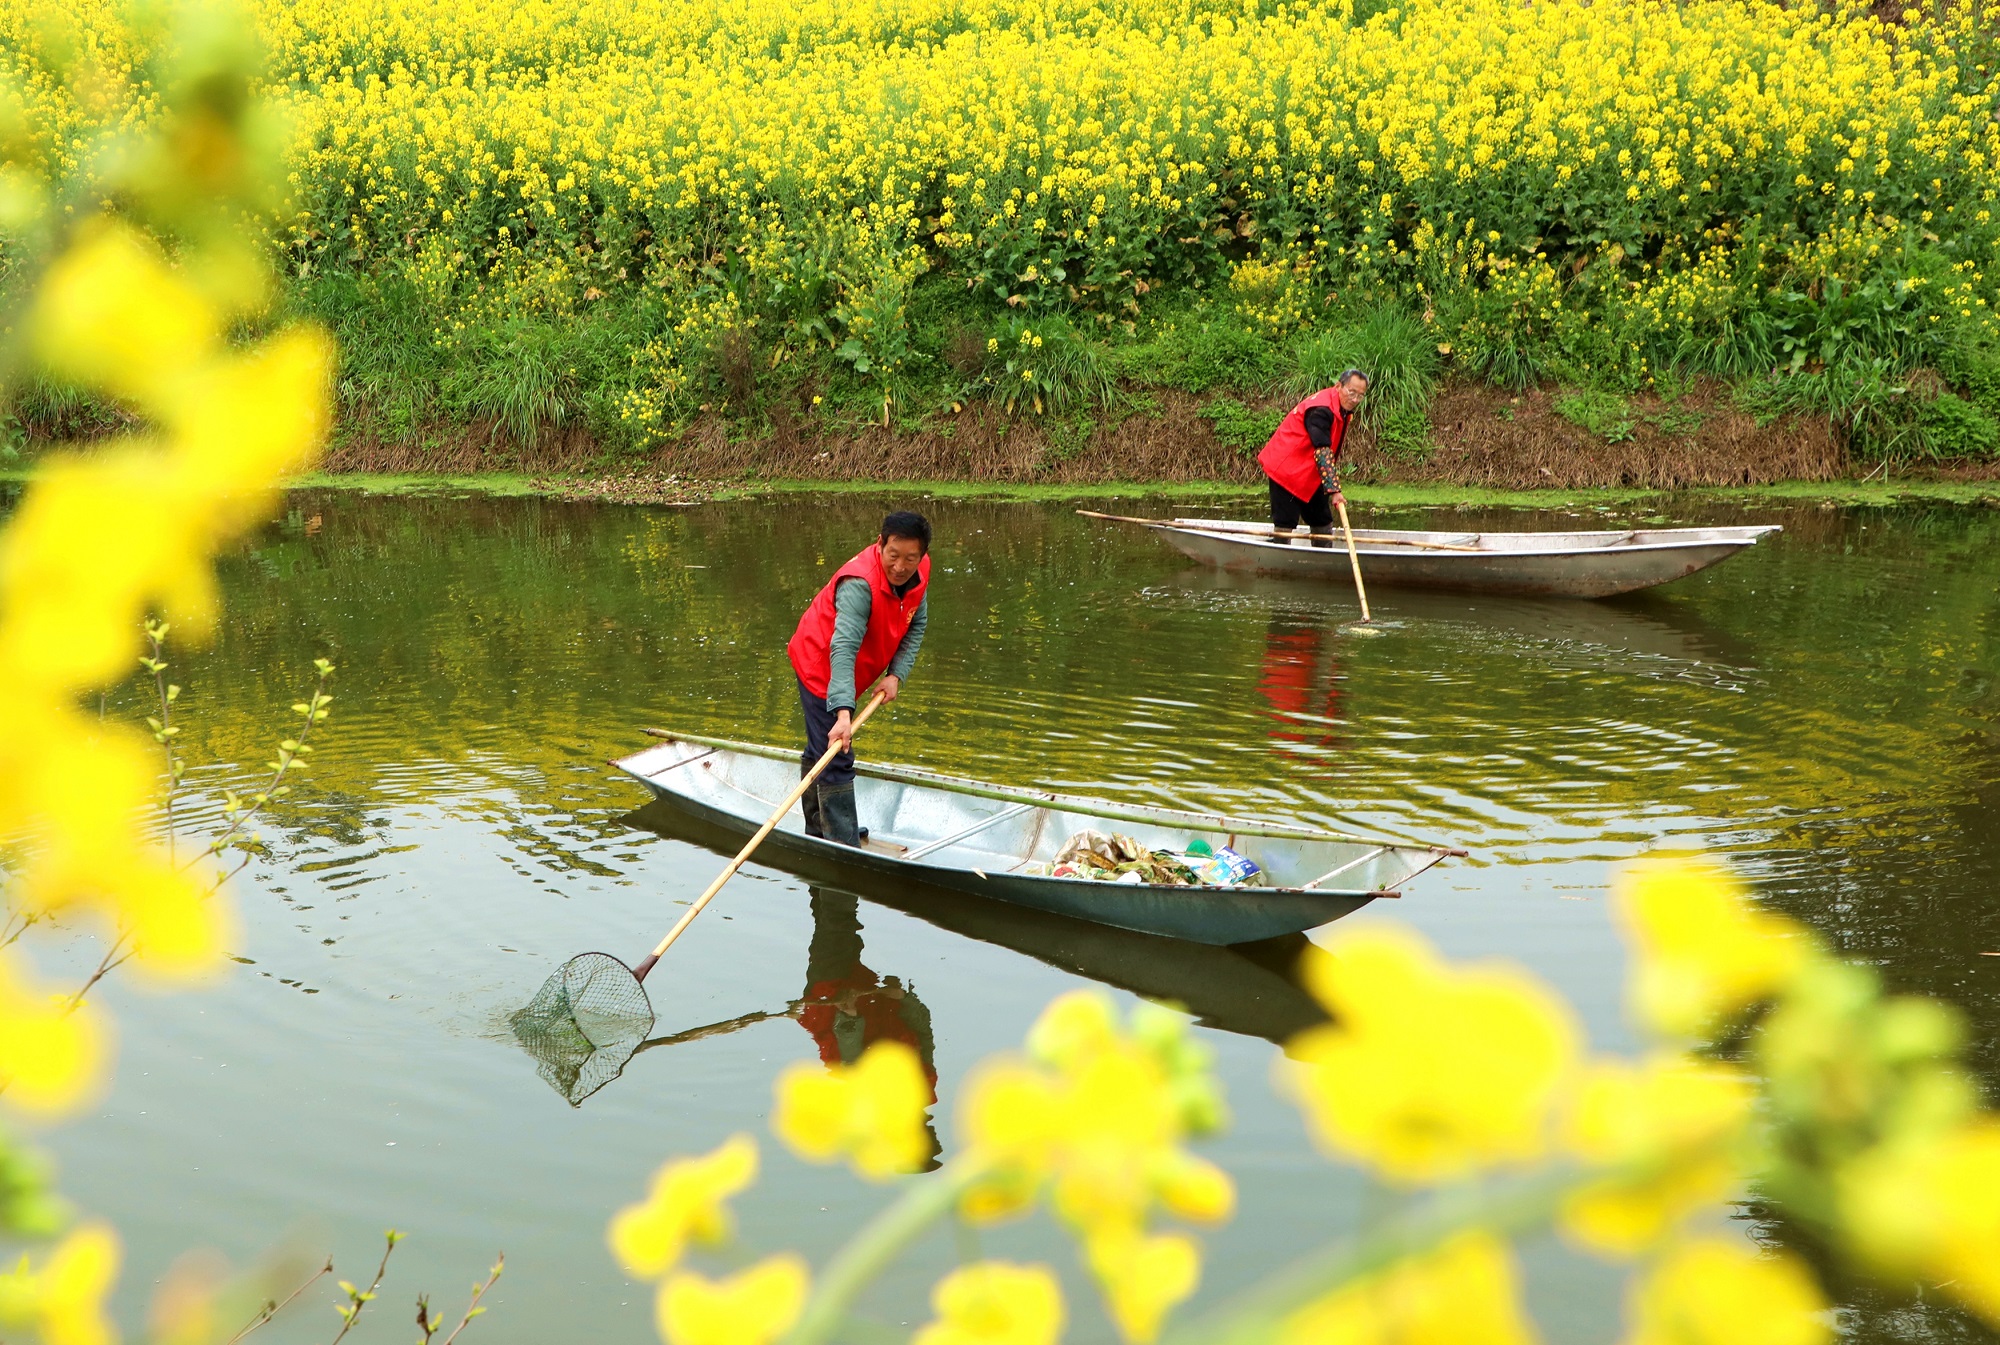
(991, 842)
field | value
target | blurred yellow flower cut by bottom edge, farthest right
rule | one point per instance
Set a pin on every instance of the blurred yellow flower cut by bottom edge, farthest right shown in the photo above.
(1713, 1292)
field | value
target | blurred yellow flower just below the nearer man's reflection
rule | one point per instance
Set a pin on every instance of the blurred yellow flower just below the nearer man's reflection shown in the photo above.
(871, 1112)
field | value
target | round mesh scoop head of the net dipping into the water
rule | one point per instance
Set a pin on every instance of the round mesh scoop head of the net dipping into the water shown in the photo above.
(585, 1024)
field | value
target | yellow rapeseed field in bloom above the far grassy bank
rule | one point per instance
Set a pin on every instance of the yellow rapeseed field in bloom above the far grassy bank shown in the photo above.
(799, 167)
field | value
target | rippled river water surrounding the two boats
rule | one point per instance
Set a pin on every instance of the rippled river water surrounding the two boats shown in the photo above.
(1823, 710)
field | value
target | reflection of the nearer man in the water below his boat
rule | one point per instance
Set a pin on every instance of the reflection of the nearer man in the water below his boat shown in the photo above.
(851, 1008)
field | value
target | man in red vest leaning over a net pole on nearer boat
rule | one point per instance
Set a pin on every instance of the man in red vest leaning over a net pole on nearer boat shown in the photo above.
(867, 623)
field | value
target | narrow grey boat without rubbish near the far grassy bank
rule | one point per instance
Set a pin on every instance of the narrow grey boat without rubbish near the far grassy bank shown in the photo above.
(1573, 565)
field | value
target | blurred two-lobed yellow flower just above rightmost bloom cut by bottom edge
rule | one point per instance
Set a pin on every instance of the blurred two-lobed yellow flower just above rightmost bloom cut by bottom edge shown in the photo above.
(1669, 1128)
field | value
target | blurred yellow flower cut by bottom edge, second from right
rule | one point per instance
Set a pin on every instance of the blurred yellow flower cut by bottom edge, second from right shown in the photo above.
(1463, 1294)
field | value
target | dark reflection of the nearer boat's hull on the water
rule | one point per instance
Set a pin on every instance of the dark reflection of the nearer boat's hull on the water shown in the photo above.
(1245, 990)
